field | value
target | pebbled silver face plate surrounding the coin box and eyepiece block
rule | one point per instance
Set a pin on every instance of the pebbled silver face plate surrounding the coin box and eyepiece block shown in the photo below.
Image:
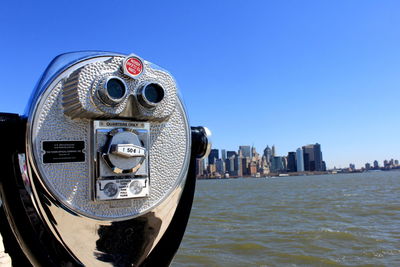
(70, 182)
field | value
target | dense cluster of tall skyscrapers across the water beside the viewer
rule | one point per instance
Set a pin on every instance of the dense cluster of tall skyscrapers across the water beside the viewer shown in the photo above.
(248, 162)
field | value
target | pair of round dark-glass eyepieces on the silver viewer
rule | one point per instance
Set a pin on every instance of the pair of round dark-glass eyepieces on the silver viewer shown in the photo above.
(114, 91)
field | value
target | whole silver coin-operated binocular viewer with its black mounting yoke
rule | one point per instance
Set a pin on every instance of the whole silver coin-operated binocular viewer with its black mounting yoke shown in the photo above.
(101, 169)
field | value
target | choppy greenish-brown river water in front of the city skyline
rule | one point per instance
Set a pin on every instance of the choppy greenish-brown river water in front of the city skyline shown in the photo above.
(327, 220)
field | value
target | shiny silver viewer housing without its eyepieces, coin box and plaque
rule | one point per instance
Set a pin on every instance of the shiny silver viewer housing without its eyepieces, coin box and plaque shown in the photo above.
(62, 193)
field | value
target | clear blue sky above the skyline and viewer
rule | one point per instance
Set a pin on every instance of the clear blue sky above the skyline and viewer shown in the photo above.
(287, 73)
